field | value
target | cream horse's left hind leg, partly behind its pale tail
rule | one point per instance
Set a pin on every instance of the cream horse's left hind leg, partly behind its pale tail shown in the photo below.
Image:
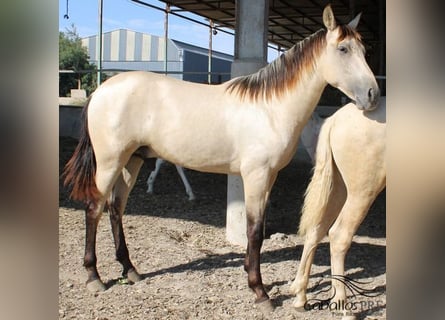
(313, 237)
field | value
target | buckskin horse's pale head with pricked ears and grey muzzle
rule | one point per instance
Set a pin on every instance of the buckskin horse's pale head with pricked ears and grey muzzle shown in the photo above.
(344, 65)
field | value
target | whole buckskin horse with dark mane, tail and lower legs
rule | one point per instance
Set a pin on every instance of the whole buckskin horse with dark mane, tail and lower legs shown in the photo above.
(249, 126)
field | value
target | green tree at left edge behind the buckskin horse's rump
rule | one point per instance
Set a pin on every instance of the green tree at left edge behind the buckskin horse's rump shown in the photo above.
(73, 56)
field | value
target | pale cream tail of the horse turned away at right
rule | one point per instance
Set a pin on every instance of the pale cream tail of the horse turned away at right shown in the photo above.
(317, 193)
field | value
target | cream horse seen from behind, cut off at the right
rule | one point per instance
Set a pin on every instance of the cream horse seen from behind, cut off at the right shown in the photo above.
(349, 173)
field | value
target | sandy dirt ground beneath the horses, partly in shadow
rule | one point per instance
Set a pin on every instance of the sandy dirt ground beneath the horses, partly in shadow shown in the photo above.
(190, 271)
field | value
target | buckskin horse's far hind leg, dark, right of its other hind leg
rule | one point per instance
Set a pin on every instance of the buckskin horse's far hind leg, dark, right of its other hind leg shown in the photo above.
(117, 204)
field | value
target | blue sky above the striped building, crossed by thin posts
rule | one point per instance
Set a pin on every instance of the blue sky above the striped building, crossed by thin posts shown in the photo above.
(125, 14)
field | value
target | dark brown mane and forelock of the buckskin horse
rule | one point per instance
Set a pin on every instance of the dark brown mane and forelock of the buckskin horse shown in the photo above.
(285, 71)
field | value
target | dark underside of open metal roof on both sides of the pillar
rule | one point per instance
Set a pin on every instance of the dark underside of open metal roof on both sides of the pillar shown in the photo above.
(293, 20)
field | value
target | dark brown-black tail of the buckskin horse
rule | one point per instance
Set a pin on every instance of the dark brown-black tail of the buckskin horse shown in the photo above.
(80, 171)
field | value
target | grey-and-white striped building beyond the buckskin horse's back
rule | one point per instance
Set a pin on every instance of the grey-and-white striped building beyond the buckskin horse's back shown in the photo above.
(124, 50)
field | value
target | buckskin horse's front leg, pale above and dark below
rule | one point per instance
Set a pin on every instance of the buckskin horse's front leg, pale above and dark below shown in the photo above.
(257, 187)
